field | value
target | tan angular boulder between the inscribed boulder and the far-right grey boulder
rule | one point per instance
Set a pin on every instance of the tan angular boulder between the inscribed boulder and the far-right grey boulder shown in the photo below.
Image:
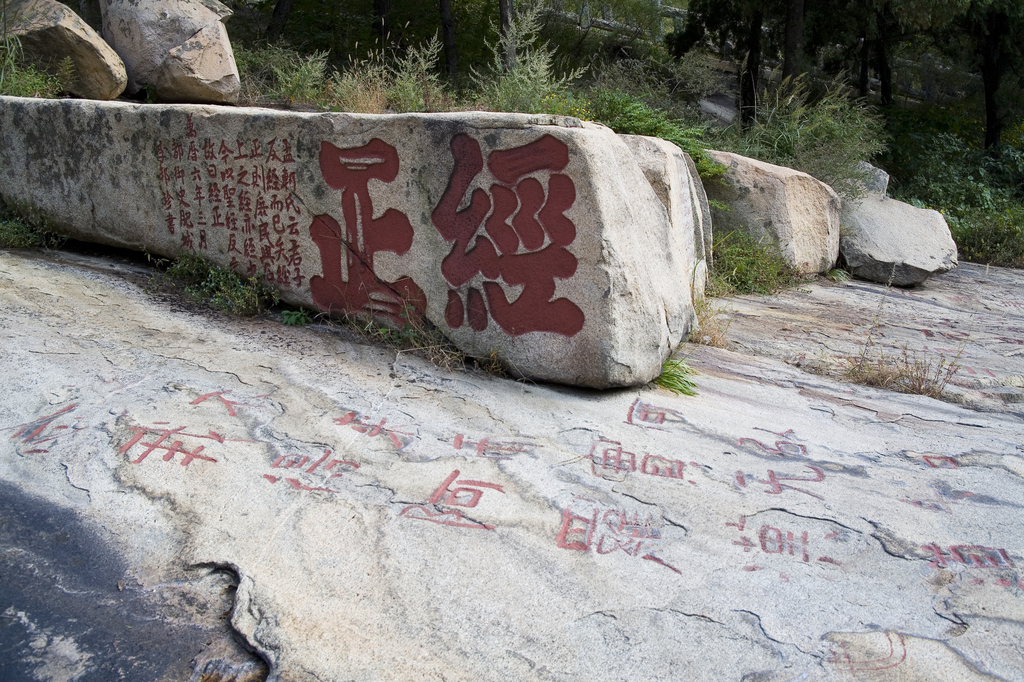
(781, 206)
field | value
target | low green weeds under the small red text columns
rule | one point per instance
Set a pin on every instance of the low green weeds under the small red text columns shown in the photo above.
(219, 287)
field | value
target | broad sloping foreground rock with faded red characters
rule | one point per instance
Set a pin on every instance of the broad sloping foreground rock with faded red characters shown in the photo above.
(388, 521)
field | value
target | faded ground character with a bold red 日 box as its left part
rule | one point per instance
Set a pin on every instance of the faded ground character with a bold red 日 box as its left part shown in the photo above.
(588, 527)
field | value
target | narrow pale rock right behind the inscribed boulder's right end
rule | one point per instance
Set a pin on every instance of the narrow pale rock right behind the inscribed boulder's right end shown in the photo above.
(673, 176)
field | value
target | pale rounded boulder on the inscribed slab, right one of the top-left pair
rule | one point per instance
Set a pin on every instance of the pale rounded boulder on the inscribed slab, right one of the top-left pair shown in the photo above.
(178, 48)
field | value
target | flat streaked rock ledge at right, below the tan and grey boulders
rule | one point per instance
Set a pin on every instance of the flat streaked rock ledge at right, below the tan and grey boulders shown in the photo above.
(973, 317)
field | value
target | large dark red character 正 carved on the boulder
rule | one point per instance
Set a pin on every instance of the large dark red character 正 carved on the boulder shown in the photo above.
(350, 283)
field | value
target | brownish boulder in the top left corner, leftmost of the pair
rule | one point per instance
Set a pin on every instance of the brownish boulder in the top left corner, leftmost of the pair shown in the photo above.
(51, 33)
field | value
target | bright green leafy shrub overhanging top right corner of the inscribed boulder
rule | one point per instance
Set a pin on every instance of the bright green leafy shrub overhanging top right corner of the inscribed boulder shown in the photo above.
(629, 115)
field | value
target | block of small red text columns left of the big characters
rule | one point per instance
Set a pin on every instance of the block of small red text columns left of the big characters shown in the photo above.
(238, 196)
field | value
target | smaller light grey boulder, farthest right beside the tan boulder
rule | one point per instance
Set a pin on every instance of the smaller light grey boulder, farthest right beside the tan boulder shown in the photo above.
(891, 242)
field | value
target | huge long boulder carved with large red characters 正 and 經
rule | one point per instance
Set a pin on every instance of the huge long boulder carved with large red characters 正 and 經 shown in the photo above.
(538, 238)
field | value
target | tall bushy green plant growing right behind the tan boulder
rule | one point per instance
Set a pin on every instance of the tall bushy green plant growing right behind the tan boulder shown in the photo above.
(824, 135)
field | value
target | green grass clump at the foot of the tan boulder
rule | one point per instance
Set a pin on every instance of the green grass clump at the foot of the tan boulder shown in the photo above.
(744, 266)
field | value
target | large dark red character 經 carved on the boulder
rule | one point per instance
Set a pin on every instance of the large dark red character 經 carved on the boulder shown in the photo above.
(524, 243)
